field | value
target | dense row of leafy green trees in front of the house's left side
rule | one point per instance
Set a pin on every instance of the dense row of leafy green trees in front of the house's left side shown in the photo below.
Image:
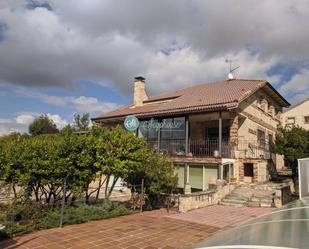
(42, 164)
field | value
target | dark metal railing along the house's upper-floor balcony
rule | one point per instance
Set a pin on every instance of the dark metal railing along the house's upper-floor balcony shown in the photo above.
(210, 148)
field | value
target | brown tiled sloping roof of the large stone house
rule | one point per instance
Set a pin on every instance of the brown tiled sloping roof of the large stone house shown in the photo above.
(220, 95)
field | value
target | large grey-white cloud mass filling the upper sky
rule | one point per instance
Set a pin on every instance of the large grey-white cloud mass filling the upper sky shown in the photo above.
(113, 41)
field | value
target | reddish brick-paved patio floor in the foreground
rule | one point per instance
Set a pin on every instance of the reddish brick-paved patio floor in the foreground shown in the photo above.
(150, 230)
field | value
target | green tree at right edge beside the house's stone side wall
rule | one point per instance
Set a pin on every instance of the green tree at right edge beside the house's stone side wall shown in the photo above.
(293, 143)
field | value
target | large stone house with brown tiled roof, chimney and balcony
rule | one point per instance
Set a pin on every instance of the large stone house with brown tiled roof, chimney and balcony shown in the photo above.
(212, 131)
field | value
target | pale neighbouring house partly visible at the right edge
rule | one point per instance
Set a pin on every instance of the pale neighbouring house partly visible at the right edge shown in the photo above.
(297, 115)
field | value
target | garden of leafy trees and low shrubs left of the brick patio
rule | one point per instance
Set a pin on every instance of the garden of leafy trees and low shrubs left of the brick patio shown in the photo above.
(45, 171)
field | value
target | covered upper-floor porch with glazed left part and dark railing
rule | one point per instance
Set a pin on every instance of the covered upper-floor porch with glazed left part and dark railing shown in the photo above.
(198, 135)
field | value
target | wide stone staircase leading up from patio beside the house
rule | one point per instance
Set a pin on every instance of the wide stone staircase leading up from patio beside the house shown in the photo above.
(250, 195)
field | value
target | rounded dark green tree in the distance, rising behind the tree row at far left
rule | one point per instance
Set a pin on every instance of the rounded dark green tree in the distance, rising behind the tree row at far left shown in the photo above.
(42, 125)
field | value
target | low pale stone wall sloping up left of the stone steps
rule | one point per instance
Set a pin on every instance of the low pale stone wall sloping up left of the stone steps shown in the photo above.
(203, 199)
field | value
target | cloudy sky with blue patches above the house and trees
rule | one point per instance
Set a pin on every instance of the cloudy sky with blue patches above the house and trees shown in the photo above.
(75, 56)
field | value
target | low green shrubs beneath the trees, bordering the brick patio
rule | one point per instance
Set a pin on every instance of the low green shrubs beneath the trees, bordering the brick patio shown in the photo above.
(19, 220)
